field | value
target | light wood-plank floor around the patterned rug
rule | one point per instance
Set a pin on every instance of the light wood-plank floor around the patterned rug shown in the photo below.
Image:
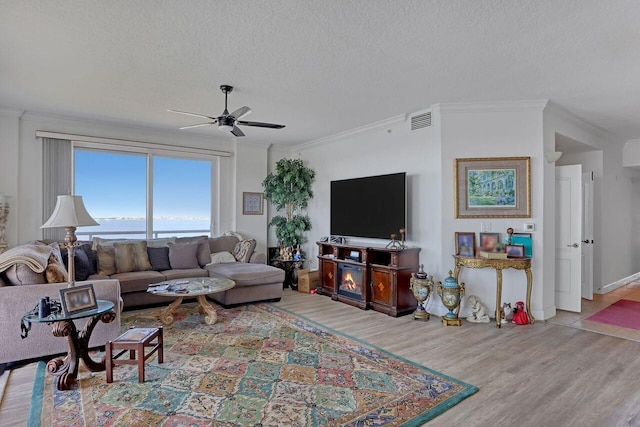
(539, 375)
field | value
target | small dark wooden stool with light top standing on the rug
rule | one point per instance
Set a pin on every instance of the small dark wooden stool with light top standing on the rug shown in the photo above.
(135, 339)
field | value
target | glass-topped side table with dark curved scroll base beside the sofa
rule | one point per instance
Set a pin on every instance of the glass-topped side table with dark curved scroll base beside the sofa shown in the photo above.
(65, 369)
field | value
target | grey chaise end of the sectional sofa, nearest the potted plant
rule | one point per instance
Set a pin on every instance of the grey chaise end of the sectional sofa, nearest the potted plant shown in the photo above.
(254, 282)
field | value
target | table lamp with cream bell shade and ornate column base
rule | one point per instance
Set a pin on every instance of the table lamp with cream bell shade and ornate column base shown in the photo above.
(70, 213)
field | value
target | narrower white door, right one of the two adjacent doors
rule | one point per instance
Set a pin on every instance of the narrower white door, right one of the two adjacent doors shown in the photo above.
(587, 235)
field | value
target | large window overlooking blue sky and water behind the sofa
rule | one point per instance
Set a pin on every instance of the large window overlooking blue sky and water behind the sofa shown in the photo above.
(136, 195)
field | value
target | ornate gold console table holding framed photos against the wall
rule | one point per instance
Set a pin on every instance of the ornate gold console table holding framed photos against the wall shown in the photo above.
(499, 265)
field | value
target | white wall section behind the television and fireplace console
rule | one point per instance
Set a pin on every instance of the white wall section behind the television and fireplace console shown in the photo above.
(387, 147)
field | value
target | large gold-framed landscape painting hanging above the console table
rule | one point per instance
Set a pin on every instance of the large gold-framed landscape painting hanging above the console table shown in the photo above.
(493, 187)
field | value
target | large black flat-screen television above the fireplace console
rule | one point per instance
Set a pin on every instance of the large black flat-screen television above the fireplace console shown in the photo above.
(373, 206)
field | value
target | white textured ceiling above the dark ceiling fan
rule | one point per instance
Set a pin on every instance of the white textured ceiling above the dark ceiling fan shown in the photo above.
(319, 67)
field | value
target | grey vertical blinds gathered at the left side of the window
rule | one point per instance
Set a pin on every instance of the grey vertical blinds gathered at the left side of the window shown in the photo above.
(56, 177)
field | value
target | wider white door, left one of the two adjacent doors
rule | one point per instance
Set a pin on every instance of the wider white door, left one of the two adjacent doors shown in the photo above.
(568, 283)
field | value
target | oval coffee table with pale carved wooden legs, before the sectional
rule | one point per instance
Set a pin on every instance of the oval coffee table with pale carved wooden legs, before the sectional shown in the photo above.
(198, 287)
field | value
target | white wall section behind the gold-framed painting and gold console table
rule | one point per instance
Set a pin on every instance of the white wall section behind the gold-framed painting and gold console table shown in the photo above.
(476, 130)
